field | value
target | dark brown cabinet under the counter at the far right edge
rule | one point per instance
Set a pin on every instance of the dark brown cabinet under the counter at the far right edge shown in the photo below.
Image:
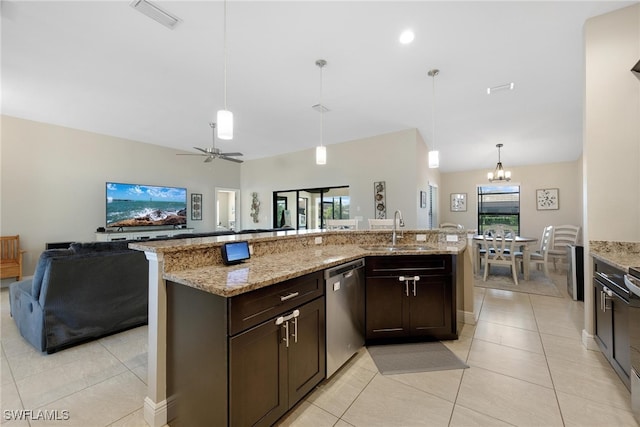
(612, 318)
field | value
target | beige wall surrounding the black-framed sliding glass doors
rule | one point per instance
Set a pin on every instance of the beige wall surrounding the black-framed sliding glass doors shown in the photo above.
(397, 158)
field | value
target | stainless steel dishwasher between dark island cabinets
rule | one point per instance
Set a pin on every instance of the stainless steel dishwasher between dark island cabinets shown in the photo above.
(344, 312)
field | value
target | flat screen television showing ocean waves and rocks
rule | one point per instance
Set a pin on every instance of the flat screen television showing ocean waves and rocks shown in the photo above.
(137, 205)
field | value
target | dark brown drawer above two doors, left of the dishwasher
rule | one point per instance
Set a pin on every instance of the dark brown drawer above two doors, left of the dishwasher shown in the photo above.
(254, 307)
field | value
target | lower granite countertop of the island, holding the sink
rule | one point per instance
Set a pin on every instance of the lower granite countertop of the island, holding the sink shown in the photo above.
(269, 269)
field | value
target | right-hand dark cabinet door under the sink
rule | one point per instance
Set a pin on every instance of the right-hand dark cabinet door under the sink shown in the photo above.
(430, 308)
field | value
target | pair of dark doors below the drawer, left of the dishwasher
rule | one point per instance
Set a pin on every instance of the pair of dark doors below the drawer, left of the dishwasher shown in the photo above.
(275, 364)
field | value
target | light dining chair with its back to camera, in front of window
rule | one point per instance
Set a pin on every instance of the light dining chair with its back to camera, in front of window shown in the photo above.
(499, 243)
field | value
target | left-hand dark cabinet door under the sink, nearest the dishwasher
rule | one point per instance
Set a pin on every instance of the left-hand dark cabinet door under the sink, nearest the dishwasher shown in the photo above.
(385, 308)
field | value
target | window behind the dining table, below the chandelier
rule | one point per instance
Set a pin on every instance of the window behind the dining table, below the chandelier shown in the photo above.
(499, 205)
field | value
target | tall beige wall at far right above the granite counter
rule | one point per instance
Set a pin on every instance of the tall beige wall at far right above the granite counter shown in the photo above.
(612, 126)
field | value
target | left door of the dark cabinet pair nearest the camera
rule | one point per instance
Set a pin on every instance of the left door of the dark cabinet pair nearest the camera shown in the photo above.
(257, 361)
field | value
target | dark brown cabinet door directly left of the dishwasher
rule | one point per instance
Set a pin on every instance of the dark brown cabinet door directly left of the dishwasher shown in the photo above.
(306, 352)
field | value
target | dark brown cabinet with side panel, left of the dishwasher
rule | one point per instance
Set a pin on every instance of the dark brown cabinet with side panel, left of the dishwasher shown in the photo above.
(244, 360)
